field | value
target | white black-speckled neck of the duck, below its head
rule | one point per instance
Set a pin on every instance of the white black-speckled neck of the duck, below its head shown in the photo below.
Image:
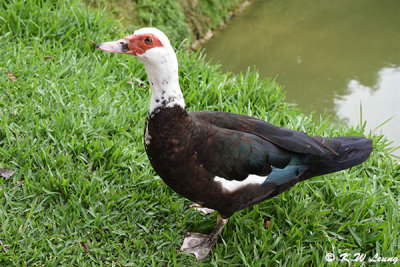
(164, 82)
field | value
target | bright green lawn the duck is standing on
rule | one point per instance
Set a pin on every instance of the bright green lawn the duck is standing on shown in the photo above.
(71, 127)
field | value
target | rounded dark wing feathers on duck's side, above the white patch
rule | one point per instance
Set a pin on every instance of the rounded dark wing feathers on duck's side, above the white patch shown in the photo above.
(235, 155)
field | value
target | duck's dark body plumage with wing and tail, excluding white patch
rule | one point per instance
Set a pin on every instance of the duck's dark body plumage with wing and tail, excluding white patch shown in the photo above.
(188, 150)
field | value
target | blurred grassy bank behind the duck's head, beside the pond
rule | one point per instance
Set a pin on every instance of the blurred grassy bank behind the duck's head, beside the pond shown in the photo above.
(179, 19)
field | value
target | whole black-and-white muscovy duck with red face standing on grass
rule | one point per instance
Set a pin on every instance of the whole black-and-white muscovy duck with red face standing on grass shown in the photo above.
(223, 161)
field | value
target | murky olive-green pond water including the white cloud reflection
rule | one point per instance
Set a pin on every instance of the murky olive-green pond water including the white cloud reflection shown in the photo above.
(332, 57)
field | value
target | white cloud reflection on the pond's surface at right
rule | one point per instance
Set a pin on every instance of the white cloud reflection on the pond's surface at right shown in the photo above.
(379, 103)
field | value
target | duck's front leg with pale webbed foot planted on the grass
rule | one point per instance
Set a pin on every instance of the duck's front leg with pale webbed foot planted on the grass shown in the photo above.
(200, 245)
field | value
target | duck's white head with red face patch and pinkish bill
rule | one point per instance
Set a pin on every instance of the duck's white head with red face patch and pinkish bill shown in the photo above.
(148, 45)
